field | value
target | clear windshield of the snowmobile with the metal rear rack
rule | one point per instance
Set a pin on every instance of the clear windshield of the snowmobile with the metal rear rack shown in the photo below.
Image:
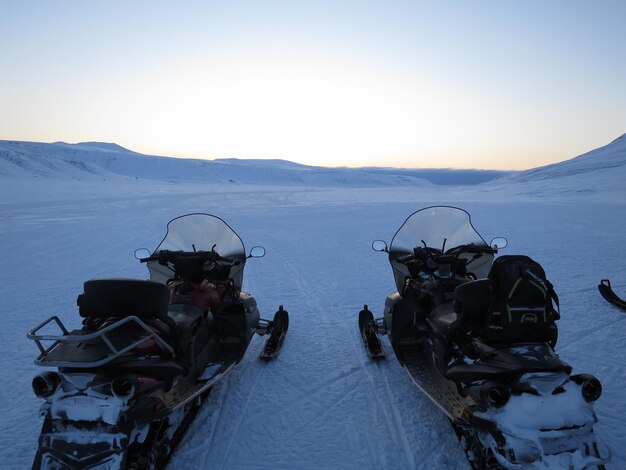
(200, 232)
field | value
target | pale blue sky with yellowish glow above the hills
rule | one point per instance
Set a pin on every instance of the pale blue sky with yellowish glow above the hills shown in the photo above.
(417, 84)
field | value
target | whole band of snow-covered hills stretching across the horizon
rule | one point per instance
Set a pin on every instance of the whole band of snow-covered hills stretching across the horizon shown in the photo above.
(85, 160)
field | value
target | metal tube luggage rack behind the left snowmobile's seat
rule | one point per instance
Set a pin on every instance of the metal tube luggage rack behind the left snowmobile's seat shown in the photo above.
(99, 338)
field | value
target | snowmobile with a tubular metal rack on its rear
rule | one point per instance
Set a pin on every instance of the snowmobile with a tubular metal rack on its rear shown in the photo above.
(128, 382)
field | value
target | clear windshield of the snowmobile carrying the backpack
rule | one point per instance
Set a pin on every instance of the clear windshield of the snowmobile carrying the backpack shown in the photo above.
(442, 228)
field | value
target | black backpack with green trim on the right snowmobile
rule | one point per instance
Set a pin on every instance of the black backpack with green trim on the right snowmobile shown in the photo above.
(521, 302)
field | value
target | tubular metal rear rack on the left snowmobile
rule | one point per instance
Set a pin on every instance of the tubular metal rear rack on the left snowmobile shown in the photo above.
(66, 350)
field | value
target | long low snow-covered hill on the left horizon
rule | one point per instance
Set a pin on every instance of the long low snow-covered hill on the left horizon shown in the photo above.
(100, 160)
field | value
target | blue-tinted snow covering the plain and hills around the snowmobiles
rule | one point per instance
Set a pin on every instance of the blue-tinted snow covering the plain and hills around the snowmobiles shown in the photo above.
(321, 404)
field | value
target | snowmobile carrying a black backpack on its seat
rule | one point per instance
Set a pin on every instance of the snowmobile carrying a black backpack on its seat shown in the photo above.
(490, 368)
